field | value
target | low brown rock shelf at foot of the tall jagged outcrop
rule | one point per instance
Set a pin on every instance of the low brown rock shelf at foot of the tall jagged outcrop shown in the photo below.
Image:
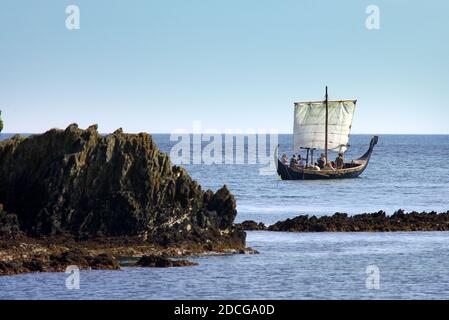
(55, 254)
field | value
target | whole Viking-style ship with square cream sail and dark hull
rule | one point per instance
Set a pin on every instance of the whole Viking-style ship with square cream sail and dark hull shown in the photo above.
(323, 125)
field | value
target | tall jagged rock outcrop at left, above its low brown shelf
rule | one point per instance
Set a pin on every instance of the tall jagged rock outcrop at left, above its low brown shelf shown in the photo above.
(79, 182)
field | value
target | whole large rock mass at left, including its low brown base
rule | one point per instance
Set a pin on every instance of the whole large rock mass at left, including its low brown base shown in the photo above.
(76, 197)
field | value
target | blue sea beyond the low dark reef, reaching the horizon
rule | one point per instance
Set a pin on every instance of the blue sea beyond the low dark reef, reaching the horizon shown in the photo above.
(405, 171)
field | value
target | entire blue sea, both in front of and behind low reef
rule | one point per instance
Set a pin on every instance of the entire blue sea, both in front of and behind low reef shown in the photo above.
(407, 172)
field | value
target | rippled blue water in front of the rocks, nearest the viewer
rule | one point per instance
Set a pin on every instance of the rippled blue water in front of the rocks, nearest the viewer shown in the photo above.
(290, 266)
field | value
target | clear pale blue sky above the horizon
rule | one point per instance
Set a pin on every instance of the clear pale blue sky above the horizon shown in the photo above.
(159, 65)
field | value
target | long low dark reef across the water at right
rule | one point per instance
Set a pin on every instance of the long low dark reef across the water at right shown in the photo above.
(366, 222)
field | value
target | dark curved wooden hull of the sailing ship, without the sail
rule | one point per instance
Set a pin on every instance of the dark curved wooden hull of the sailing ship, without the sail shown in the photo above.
(351, 170)
